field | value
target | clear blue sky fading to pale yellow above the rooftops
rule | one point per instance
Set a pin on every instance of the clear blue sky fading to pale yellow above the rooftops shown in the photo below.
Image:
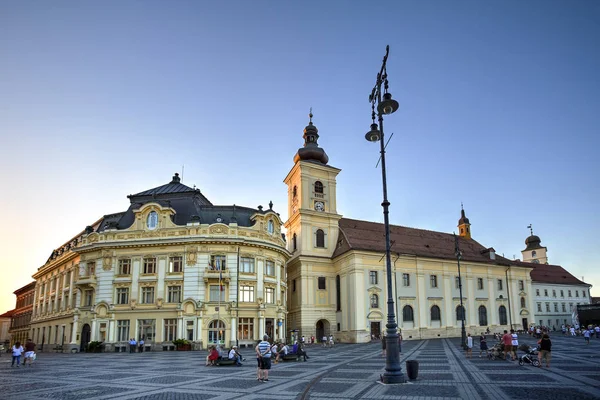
(499, 110)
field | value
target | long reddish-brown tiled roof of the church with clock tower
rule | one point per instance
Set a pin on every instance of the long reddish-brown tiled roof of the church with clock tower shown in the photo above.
(370, 236)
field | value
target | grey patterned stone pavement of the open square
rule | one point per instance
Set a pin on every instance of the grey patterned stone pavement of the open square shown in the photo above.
(344, 372)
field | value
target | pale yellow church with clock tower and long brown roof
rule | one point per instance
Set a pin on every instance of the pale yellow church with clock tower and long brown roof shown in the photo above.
(337, 275)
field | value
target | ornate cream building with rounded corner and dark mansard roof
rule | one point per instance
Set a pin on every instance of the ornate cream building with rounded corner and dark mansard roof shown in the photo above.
(172, 266)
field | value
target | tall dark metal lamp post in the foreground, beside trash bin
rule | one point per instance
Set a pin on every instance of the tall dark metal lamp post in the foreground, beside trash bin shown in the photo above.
(385, 105)
